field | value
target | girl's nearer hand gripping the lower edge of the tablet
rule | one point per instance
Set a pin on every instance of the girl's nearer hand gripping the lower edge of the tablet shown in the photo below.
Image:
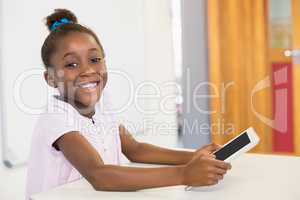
(204, 170)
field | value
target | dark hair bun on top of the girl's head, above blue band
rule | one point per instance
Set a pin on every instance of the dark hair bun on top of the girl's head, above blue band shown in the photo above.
(58, 15)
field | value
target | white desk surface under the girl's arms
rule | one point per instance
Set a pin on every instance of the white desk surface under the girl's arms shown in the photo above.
(252, 177)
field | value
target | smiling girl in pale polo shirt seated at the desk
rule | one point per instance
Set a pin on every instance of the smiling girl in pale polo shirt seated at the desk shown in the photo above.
(76, 139)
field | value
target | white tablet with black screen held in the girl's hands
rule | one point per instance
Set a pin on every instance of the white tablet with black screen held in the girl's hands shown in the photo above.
(238, 145)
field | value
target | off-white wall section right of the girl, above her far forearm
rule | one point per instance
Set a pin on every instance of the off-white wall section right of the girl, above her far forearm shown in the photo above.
(161, 126)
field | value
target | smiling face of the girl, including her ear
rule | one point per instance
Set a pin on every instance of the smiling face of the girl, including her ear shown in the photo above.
(79, 71)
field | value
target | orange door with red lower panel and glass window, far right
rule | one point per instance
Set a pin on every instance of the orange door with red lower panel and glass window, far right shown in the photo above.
(284, 54)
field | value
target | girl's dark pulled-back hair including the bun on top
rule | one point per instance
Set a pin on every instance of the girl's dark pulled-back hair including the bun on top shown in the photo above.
(61, 31)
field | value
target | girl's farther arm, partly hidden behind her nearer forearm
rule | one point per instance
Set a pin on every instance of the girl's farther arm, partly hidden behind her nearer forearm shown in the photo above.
(148, 153)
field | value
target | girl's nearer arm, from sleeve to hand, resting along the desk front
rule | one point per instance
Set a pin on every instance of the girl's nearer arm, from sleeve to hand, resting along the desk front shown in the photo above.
(202, 170)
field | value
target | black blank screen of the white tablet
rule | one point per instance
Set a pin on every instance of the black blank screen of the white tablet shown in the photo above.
(232, 147)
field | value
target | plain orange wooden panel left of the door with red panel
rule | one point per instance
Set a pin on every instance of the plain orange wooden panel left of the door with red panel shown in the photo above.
(238, 48)
